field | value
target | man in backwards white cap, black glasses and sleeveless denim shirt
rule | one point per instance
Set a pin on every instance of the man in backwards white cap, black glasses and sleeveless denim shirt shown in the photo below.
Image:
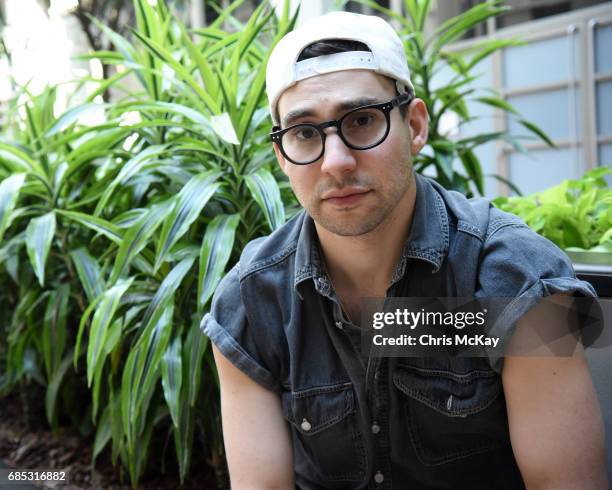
(301, 405)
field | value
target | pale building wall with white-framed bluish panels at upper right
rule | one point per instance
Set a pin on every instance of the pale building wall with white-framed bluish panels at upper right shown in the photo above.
(562, 81)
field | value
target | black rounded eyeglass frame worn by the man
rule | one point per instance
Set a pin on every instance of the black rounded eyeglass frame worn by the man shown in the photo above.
(386, 107)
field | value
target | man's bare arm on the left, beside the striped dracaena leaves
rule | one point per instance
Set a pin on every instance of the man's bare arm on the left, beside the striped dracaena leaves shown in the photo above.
(257, 439)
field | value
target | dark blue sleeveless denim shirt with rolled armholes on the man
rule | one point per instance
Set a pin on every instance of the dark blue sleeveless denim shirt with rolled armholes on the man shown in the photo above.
(383, 423)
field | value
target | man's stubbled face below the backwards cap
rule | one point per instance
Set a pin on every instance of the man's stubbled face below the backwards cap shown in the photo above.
(375, 180)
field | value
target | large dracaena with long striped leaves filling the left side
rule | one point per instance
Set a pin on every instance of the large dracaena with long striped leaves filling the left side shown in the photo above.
(116, 234)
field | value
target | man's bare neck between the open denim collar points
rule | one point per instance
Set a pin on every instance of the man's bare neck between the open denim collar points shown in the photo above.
(350, 259)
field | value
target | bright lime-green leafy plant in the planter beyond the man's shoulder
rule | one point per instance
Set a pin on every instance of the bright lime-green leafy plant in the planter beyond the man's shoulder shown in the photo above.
(576, 214)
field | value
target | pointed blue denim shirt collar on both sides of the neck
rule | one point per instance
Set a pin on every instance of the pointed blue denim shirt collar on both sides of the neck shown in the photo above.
(428, 240)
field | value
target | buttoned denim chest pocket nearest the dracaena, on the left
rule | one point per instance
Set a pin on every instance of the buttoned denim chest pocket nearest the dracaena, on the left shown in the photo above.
(326, 436)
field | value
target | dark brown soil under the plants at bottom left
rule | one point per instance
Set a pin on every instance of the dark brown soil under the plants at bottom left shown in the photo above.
(27, 445)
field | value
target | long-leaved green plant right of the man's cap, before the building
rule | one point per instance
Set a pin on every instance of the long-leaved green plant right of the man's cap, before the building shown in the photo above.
(427, 57)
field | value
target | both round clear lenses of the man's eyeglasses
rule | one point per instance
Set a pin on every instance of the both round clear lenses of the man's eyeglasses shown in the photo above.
(360, 129)
